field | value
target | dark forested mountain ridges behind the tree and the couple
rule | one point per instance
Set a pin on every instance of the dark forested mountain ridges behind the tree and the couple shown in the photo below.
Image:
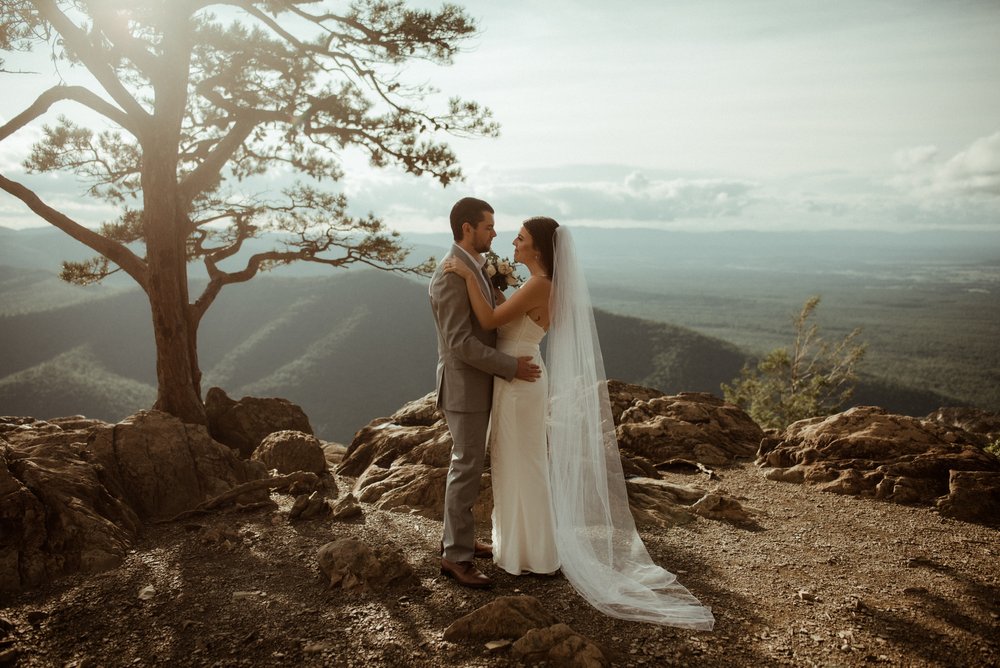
(347, 348)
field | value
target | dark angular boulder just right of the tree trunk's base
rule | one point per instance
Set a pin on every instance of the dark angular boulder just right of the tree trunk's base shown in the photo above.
(243, 424)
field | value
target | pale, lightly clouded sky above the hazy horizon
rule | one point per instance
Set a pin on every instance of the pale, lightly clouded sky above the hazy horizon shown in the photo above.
(709, 115)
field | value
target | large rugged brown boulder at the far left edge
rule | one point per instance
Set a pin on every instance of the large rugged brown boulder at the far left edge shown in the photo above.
(59, 512)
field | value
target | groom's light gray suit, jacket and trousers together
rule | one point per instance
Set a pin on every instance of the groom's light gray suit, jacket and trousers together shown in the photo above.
(467, 363)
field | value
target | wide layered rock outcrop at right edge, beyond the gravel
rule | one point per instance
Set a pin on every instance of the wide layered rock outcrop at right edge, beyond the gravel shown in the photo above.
(866, 451)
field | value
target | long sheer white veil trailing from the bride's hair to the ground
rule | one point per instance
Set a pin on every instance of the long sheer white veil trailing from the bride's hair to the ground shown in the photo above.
(601, 552)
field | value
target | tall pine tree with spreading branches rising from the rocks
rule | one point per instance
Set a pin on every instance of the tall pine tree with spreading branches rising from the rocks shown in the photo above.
(202, 94)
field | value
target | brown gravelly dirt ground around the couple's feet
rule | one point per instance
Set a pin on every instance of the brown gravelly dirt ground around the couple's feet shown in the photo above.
(818, 579)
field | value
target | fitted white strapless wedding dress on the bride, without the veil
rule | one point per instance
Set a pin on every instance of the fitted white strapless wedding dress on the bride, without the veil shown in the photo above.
(523, 528)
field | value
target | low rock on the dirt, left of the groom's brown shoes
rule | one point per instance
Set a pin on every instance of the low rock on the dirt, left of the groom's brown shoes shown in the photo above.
(349, 563)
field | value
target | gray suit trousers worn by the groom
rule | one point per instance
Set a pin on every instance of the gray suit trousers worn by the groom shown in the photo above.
(468, 452)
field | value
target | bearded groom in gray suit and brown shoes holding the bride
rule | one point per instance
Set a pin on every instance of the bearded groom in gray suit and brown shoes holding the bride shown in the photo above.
(467, 363)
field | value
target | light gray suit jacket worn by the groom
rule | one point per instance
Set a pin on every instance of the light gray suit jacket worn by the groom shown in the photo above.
(467, 357)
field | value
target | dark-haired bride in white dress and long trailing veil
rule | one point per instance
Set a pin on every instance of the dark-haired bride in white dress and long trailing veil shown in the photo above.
(558, 487)
